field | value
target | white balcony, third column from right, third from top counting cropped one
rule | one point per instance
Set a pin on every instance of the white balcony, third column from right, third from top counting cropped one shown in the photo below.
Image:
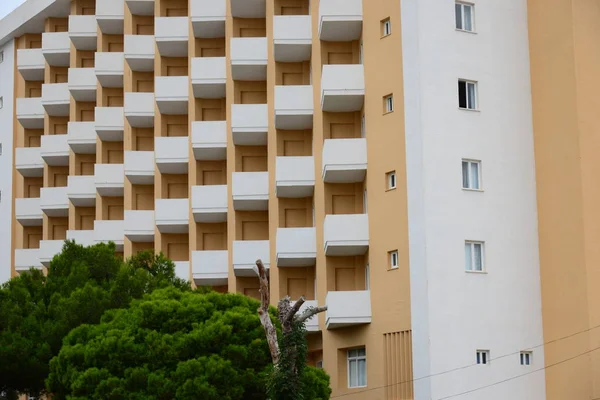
(250, 124)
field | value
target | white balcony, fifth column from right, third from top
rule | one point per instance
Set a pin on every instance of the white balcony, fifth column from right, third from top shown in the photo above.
(172, 154)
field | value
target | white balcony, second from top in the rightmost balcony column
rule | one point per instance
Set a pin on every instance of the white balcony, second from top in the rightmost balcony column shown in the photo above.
(342, 88)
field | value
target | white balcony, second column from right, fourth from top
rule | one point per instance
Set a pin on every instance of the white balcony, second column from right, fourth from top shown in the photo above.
(296, 247)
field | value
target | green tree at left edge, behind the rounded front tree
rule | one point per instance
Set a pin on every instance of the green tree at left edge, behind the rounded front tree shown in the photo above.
(37, 311)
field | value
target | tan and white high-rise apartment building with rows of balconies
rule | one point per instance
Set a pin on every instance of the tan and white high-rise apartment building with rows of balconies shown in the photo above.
(408, 163)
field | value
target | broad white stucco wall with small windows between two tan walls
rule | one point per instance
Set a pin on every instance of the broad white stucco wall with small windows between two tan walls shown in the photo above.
(454, 313)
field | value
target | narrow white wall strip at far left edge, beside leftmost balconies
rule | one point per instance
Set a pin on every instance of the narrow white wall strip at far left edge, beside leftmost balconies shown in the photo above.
(6, 159)
